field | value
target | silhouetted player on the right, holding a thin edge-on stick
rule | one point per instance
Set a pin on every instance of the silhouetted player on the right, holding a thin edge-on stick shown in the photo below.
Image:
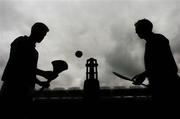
(160, 67)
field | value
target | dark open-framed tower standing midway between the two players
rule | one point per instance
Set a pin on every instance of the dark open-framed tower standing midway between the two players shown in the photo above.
(91, 84)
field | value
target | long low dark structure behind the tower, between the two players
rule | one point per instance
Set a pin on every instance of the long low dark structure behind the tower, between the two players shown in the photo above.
(106, 94)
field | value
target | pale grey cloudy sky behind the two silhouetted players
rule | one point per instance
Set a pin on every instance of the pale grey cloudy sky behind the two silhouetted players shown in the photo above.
(102, 29)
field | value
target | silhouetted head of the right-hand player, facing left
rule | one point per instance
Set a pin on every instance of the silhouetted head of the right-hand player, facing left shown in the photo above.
(143, 28)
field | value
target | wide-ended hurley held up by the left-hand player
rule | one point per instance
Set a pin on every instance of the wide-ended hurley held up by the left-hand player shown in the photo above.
(58, 67)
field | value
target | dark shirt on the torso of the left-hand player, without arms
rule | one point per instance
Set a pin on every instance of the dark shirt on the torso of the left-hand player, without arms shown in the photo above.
(22, 64)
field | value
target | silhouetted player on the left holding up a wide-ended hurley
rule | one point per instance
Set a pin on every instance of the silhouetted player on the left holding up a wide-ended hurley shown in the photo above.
(19, 76)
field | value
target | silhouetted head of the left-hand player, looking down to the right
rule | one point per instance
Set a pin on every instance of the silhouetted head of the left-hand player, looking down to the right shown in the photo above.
(39, 31)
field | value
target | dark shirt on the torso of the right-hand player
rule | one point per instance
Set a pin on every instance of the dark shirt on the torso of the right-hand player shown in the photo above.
(158, 56)
